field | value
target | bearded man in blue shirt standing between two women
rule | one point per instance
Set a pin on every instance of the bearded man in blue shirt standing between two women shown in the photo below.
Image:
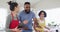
(26, 17)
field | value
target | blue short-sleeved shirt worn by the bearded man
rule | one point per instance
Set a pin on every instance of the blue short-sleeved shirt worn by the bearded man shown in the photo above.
(24, 16)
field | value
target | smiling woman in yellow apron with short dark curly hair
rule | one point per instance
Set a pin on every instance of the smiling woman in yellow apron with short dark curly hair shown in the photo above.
(41, 27)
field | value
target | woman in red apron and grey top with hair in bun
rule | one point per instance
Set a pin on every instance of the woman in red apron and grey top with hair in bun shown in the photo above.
(12, 20)
